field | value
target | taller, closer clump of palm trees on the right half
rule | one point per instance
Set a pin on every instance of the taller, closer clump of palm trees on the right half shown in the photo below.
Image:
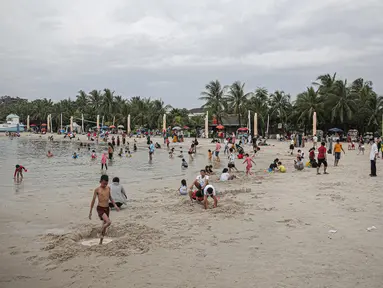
(337, 103)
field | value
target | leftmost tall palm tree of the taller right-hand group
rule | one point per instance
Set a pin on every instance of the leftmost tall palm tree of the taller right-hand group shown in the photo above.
(214, 99)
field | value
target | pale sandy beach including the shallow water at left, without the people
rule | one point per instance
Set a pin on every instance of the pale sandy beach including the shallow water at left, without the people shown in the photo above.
(296, 229)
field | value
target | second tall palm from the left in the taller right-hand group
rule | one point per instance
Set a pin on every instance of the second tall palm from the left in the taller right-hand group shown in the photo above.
(237, 98)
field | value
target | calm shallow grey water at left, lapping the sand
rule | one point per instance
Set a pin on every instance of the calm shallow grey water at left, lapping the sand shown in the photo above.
(55, 187)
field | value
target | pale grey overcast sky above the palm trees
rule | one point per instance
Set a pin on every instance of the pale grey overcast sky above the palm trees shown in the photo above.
(170, 49)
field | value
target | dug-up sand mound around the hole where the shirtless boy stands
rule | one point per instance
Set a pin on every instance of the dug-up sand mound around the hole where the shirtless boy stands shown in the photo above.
(120, 240)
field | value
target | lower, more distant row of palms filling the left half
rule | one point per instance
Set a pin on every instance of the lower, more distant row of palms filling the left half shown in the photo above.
(144, 112)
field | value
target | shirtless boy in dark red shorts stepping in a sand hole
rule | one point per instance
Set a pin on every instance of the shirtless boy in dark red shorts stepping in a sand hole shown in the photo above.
(103, 195)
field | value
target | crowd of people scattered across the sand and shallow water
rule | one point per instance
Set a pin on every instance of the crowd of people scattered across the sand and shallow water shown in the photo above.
(201, 188)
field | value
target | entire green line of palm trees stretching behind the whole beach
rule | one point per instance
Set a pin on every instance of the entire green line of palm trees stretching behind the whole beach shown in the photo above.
(337, 103)
